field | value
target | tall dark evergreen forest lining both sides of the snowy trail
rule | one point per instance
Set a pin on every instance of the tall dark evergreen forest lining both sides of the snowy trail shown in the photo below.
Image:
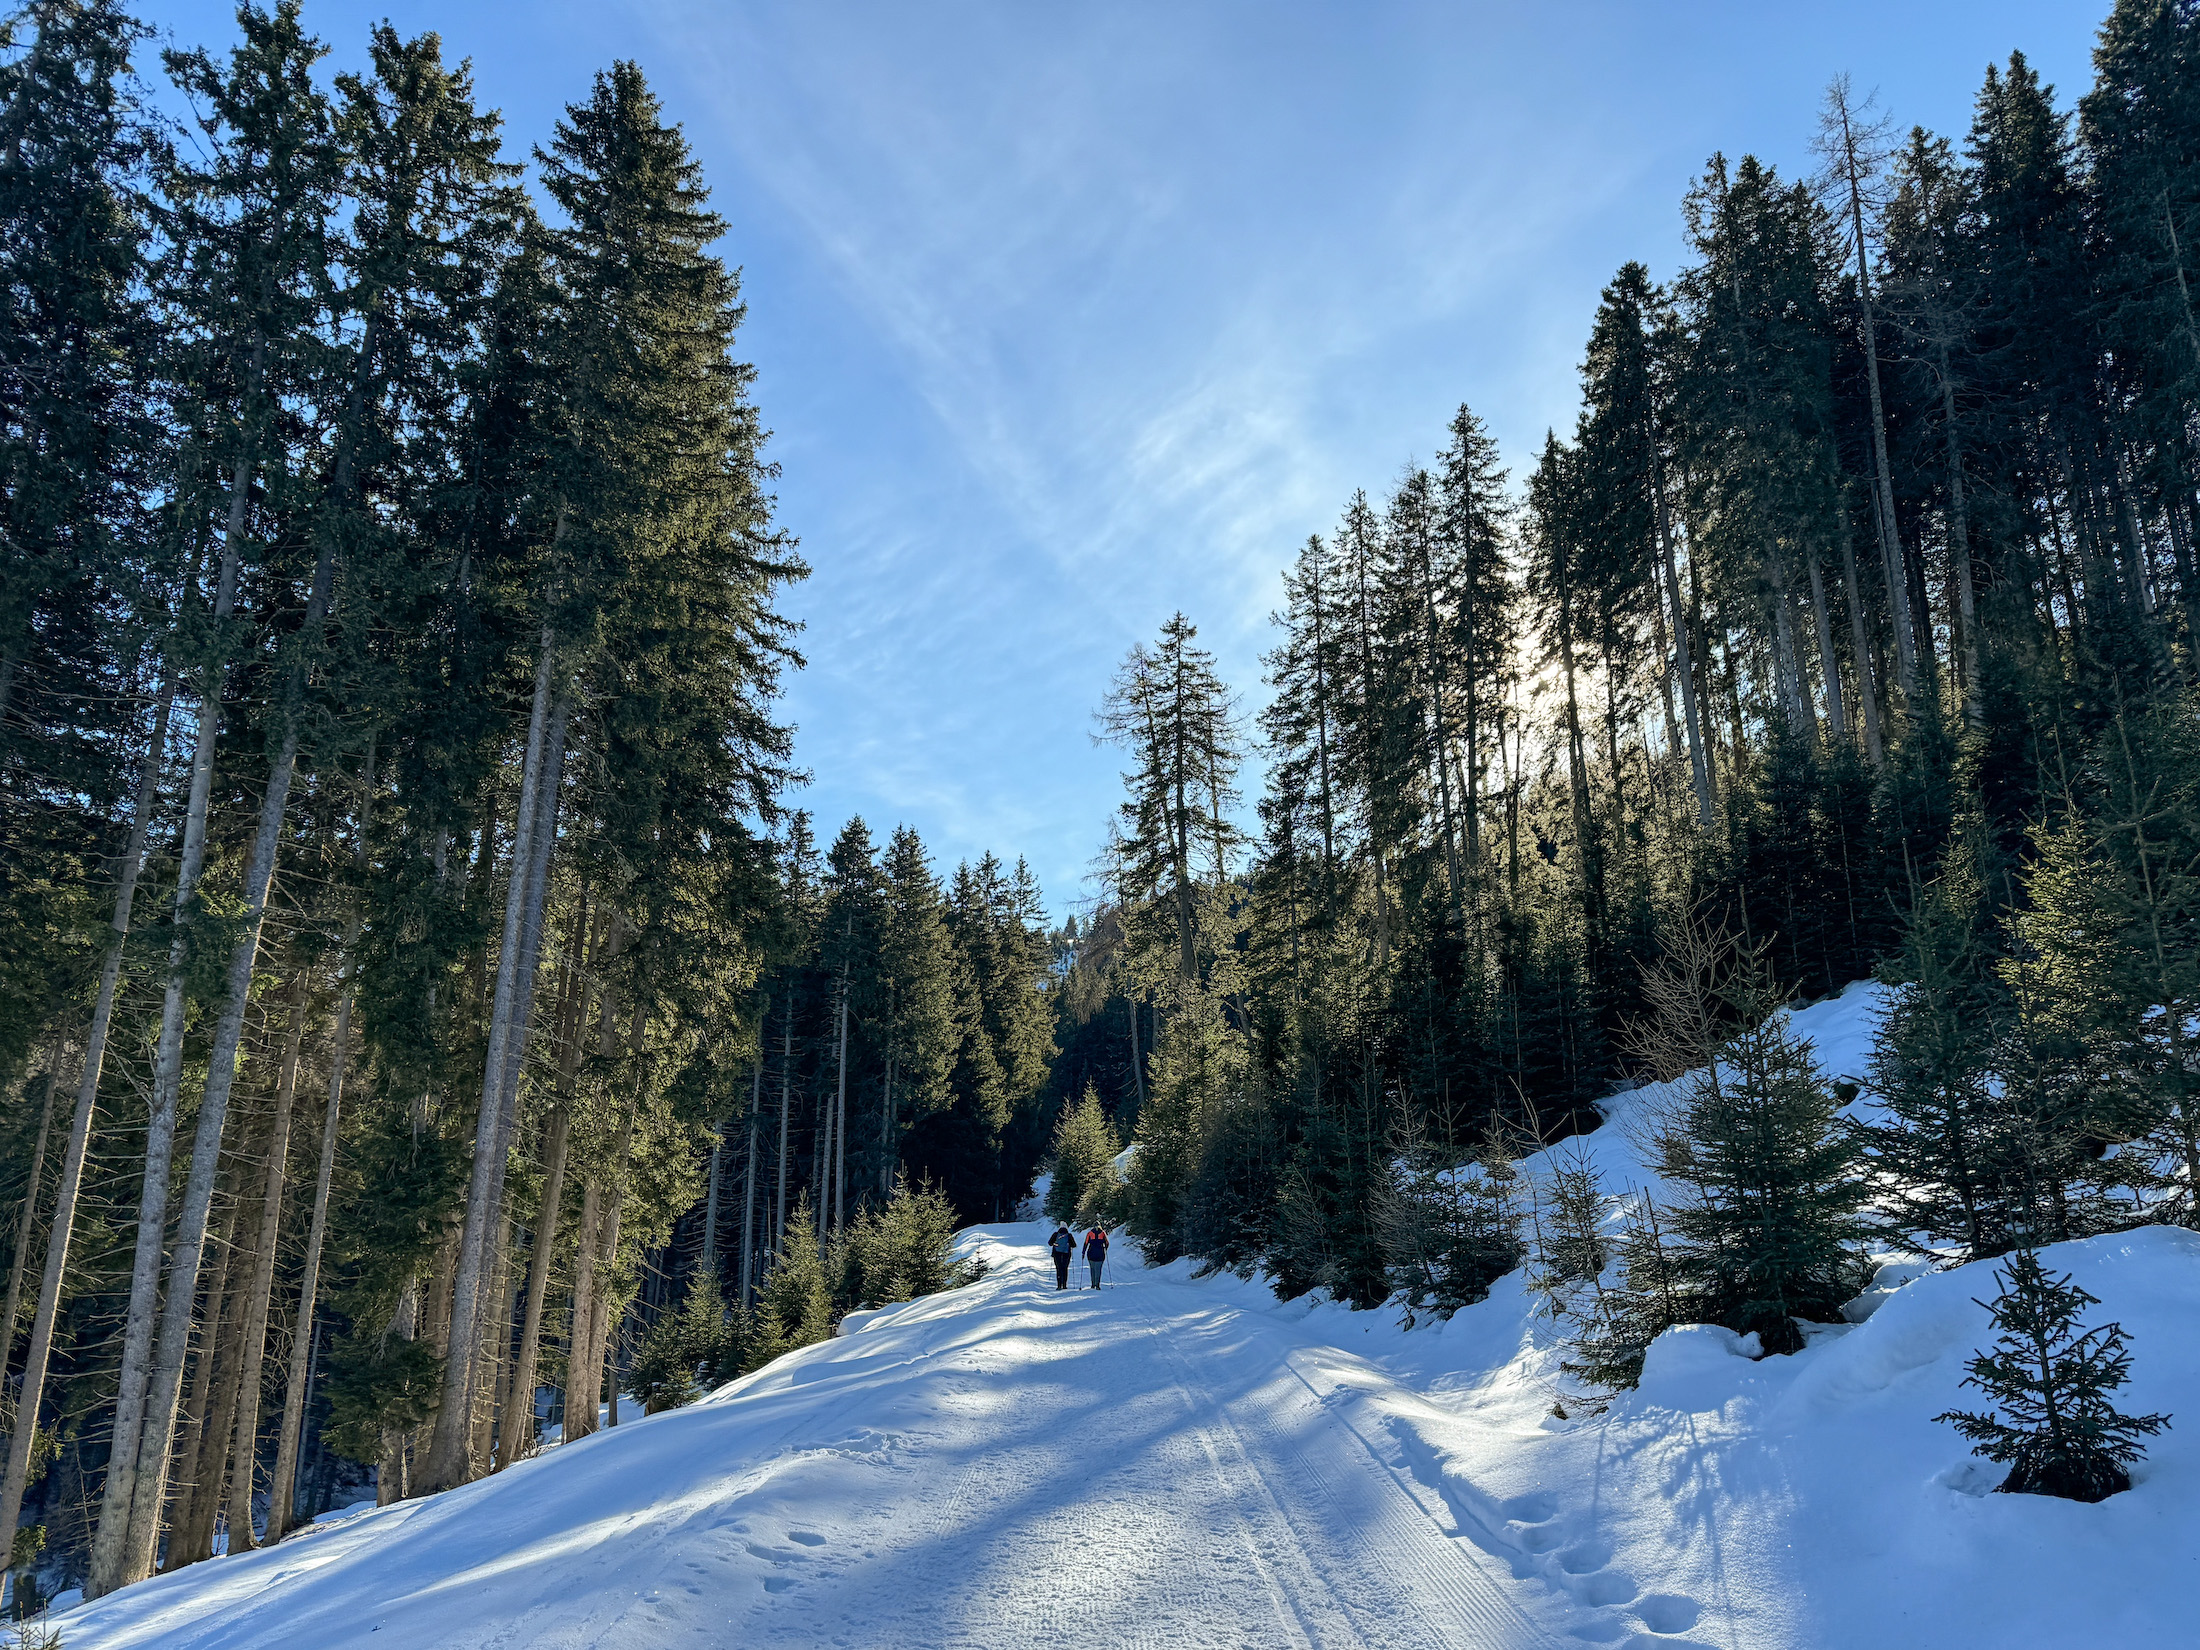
(426, 1011)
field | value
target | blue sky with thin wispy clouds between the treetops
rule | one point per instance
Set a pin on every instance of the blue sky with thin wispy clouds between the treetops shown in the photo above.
(1072, 316)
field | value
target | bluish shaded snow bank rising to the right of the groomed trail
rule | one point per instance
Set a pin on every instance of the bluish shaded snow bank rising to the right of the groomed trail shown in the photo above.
(1801, 1501)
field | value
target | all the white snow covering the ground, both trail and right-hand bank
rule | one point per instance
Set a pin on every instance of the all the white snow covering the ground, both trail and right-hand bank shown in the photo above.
(1187, 1462)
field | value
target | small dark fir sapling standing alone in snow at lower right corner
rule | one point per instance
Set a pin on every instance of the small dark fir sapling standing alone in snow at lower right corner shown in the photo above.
(2056, 1424)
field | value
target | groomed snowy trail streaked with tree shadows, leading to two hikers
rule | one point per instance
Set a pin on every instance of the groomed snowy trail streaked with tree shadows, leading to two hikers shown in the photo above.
(1006, 1466)
